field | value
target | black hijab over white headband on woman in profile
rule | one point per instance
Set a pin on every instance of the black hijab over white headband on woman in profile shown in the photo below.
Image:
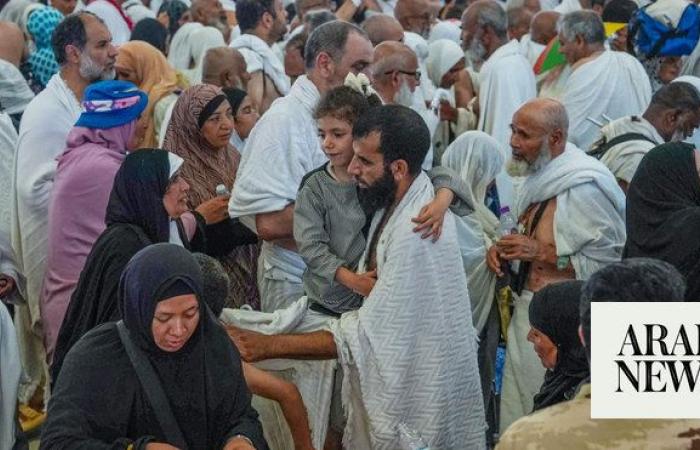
(137, 194)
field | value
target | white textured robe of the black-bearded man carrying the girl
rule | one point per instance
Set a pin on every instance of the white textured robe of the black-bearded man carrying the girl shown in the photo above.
(409, 353)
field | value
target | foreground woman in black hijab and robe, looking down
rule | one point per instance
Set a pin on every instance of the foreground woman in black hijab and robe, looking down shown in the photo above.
(194, 372)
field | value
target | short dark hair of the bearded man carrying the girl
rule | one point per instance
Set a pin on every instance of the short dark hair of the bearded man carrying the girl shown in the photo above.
(403, 134)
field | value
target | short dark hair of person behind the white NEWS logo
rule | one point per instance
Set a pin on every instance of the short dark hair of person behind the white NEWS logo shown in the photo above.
(630, 280)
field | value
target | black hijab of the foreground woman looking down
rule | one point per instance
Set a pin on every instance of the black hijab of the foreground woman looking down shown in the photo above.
(188, 376)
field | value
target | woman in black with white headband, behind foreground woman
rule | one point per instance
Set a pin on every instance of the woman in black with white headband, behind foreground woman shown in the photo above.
(148, 204)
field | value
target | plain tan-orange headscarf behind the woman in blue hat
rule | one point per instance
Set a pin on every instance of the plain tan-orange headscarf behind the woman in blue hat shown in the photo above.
(154, 76)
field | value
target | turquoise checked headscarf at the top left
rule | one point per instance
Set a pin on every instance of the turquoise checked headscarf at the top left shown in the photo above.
(40, 26)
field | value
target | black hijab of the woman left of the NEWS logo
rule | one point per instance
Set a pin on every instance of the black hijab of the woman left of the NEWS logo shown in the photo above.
(554, 311)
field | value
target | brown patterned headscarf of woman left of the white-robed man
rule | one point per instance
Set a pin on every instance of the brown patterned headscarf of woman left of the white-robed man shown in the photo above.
(205, 167)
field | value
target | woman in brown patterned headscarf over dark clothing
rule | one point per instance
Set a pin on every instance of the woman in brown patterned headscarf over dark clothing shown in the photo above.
(199, 131)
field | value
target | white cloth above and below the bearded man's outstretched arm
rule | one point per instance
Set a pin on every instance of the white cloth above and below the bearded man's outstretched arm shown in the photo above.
(314, 379)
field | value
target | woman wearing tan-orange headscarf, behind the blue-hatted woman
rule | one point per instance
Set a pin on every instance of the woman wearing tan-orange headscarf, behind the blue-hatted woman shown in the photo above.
(145, 66)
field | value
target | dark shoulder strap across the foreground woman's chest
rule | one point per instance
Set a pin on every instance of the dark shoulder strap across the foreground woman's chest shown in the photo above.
(153, 389)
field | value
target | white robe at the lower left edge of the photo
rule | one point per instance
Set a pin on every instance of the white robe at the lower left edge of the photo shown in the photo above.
(10, 371)
